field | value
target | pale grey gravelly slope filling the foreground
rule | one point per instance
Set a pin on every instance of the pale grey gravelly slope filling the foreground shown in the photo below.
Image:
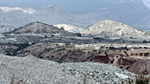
(32, 70)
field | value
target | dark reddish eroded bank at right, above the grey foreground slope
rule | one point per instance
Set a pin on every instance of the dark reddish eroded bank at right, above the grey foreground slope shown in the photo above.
(136, 65)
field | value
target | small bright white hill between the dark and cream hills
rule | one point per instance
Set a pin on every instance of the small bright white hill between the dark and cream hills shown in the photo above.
(70, 28)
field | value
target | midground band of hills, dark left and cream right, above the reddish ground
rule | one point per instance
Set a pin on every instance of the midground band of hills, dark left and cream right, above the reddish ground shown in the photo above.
(109, 31)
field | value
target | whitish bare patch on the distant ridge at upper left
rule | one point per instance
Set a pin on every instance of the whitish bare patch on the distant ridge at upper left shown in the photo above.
(8, 9)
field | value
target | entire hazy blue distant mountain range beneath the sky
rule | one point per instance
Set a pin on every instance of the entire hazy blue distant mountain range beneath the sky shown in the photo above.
(130, 12)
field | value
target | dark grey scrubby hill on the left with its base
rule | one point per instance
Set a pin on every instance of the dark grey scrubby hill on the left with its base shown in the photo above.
(35, 32)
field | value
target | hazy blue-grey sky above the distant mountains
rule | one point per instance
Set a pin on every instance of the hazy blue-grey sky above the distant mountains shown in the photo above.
(67, 5)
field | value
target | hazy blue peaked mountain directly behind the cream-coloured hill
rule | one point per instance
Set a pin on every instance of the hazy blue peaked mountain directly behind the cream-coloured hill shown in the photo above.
(130, 12)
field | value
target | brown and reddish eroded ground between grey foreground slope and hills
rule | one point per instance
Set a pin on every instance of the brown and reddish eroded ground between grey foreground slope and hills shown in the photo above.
(132, 57)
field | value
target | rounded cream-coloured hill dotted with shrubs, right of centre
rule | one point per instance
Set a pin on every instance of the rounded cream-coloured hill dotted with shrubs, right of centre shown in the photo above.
(116, 29)
